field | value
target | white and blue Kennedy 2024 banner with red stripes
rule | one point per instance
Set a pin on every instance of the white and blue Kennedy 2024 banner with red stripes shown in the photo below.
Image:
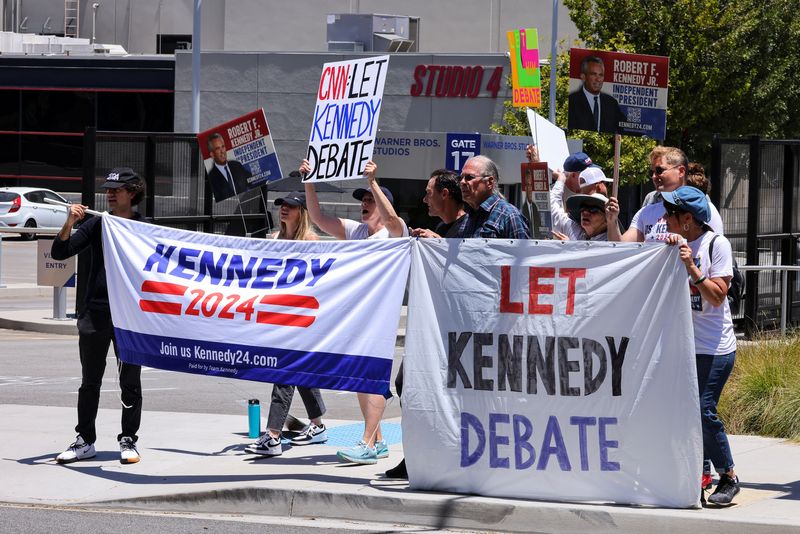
(307, 313)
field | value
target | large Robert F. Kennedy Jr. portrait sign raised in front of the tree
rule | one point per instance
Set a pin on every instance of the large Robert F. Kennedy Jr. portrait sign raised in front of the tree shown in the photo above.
(631, 91)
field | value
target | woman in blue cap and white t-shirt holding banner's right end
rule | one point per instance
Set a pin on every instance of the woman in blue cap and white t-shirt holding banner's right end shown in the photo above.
(709, 264)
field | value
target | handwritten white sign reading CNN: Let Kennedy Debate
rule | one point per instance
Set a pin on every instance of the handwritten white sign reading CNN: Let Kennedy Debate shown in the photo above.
(345, 120)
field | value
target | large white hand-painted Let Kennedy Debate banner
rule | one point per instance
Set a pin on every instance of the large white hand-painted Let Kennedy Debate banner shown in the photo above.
(557, 371)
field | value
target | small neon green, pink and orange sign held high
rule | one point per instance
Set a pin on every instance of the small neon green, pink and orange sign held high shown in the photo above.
(526, 82)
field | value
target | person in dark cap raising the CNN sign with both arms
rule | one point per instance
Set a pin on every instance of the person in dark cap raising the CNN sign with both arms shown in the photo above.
(378, 221)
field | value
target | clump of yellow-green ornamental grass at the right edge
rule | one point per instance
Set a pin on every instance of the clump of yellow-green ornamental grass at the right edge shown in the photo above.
(762, 395)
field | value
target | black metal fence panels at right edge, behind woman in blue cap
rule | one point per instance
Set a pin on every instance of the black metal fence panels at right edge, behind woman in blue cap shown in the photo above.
(756, 186)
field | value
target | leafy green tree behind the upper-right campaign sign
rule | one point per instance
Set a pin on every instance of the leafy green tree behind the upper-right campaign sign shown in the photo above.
(733, 63)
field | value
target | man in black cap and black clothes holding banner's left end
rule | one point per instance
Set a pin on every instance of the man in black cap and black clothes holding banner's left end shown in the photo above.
(124, 190)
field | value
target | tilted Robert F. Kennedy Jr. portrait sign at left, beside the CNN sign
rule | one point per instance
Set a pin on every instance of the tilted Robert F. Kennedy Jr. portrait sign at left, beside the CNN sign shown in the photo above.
(239, 155)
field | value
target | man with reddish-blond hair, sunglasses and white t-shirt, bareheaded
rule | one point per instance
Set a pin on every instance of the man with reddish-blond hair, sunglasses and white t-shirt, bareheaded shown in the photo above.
(668, 166)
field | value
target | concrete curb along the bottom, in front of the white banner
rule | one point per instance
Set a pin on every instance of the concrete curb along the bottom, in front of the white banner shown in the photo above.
(443, 511)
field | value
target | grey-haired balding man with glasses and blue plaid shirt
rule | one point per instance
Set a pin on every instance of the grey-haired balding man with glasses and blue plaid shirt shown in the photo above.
(489, 215)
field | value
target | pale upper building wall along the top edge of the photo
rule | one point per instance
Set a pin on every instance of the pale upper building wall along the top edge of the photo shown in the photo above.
(446, 26)
